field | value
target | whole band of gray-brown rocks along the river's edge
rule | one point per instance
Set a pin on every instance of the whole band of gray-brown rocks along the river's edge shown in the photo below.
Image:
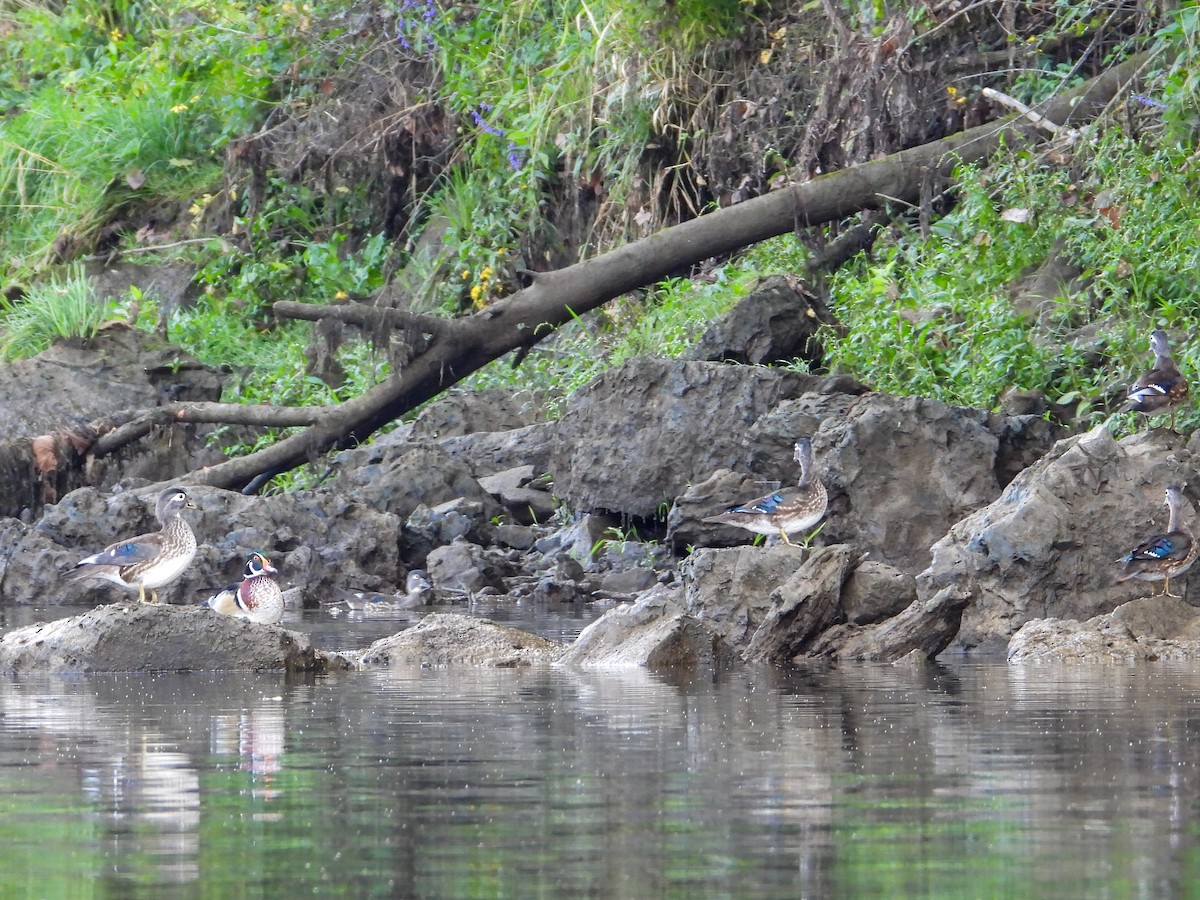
(949, 531)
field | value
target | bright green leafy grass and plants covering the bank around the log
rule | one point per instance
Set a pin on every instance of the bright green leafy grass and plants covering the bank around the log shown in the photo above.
(116, 110)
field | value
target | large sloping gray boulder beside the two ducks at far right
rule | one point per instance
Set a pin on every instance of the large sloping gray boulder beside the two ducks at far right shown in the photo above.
(1047, 548)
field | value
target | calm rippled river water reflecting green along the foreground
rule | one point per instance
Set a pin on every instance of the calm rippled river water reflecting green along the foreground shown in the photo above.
(970, 781)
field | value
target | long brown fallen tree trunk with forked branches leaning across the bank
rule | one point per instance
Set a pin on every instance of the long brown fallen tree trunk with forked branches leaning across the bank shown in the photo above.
(447, 351)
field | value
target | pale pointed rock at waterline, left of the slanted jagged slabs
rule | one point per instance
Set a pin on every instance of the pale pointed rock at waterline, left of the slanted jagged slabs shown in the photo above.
(653, 633)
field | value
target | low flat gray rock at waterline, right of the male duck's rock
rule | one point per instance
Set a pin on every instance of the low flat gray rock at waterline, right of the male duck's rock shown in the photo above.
(451, 640)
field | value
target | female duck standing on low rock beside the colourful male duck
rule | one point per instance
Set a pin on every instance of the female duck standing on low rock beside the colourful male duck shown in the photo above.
(149, 561)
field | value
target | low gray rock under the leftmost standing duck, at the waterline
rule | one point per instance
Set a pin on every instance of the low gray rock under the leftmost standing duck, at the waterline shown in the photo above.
(139, 638)
